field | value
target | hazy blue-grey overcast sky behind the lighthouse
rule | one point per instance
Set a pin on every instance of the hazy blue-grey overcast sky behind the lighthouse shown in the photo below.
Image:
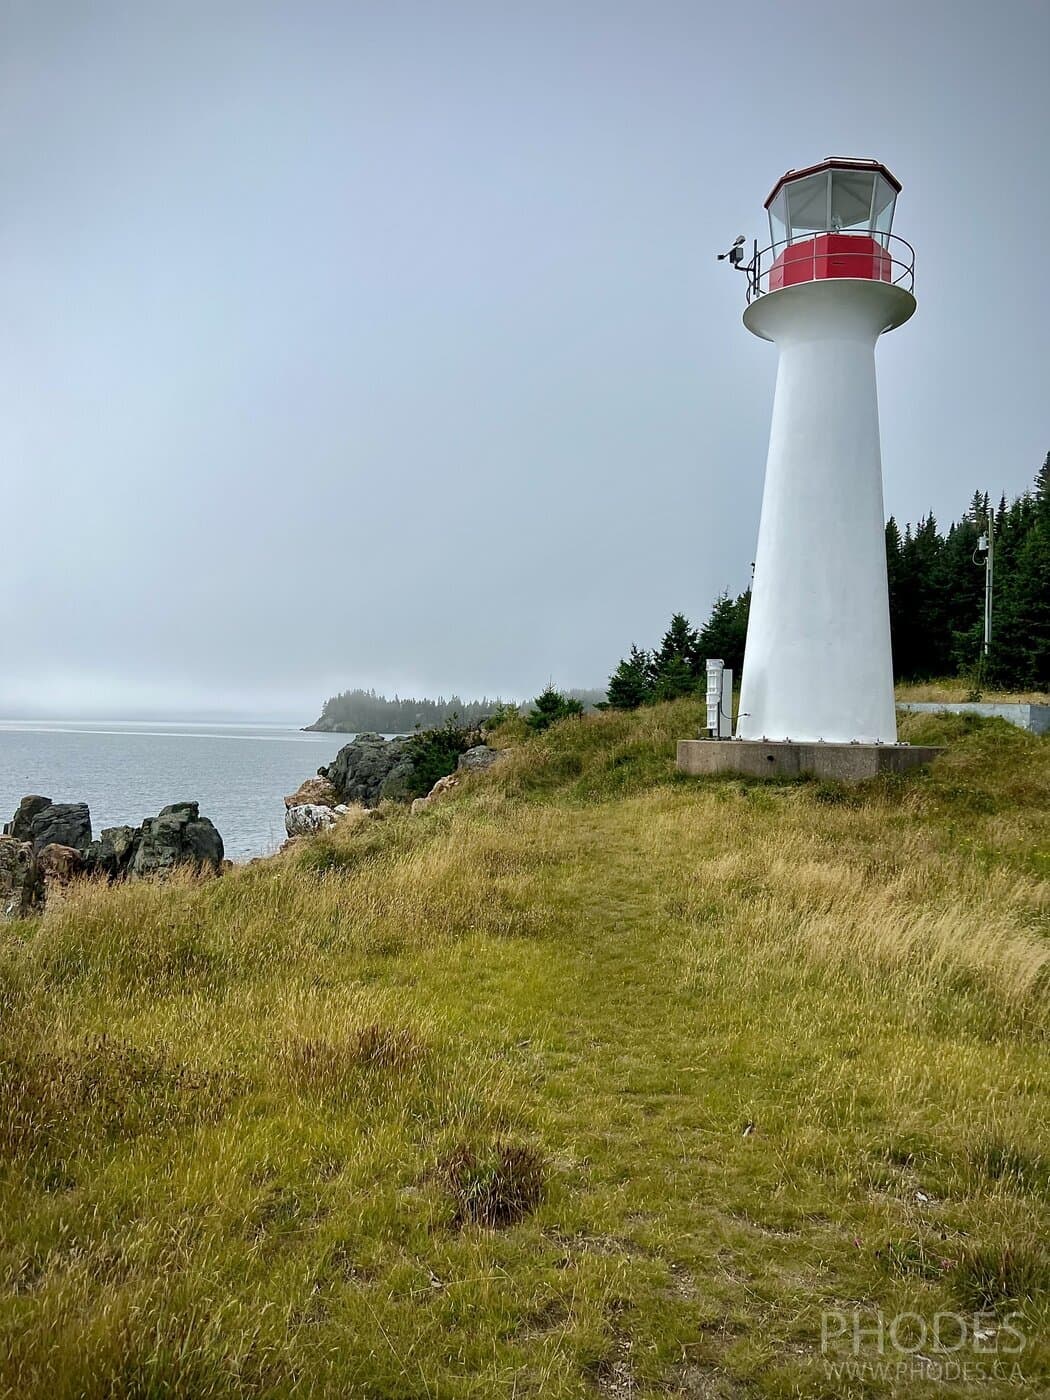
(384, 344)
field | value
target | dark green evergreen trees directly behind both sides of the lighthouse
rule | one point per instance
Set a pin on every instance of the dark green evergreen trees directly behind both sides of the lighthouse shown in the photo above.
(936, 610)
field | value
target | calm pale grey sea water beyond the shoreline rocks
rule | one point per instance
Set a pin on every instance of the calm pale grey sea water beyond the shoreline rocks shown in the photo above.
(125, 772)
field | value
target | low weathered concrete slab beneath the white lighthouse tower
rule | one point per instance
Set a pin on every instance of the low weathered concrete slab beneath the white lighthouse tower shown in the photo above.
(758, 759)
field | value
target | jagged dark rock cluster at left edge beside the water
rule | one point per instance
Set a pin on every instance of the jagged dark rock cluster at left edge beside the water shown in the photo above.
(47, 846)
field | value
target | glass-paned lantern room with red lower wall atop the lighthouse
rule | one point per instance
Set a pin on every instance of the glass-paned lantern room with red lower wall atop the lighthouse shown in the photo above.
(832, 220)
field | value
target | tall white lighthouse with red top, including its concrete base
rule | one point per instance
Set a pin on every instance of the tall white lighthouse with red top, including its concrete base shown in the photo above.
(817, 694)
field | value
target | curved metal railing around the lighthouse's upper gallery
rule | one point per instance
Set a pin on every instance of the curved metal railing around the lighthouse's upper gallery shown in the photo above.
(884, 258)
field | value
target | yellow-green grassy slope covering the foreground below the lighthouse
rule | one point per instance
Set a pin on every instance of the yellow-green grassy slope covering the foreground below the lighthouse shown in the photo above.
(587, 1081)
